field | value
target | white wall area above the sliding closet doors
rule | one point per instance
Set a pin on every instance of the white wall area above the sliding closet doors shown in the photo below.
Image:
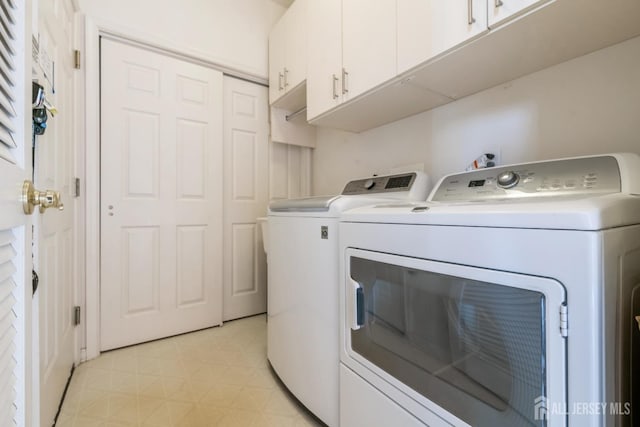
(233, 33)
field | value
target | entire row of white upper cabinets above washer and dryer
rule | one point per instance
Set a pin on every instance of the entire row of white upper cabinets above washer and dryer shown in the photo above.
(372, 62)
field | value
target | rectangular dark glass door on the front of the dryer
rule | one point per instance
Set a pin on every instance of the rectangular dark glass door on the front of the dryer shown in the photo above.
(484, 345)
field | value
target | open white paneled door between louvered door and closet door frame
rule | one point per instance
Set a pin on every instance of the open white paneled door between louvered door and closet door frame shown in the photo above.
(54, 249)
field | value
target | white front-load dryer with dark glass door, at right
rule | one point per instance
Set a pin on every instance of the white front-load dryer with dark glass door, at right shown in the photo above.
(509, 299)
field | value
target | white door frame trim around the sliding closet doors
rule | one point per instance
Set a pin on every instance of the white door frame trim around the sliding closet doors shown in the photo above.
(92, 30)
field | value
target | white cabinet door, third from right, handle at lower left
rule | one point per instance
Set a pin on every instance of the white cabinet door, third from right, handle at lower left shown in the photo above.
(368, 44)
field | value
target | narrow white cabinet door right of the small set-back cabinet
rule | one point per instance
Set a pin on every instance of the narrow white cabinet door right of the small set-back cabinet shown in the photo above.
(325, 56)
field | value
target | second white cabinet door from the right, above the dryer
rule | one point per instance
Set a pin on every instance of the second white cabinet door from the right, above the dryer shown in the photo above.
(427, 28)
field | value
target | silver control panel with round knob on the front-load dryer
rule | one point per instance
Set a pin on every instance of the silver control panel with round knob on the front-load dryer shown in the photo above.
(588, 175)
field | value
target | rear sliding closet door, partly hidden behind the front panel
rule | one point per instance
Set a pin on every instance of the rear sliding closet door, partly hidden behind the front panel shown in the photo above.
(246, 158)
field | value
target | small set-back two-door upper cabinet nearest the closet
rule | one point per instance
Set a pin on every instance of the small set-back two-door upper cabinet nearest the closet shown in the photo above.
(288, 58)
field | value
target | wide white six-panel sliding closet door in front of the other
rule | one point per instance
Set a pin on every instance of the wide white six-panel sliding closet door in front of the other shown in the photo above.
(161, 195)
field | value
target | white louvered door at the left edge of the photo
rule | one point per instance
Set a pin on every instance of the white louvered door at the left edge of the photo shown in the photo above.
(15, 227)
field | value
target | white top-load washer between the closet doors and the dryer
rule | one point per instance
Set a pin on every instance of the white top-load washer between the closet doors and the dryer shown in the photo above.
(302, 328)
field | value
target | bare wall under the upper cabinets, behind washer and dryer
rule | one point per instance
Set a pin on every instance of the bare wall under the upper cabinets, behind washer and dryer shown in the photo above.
(588, 105)
